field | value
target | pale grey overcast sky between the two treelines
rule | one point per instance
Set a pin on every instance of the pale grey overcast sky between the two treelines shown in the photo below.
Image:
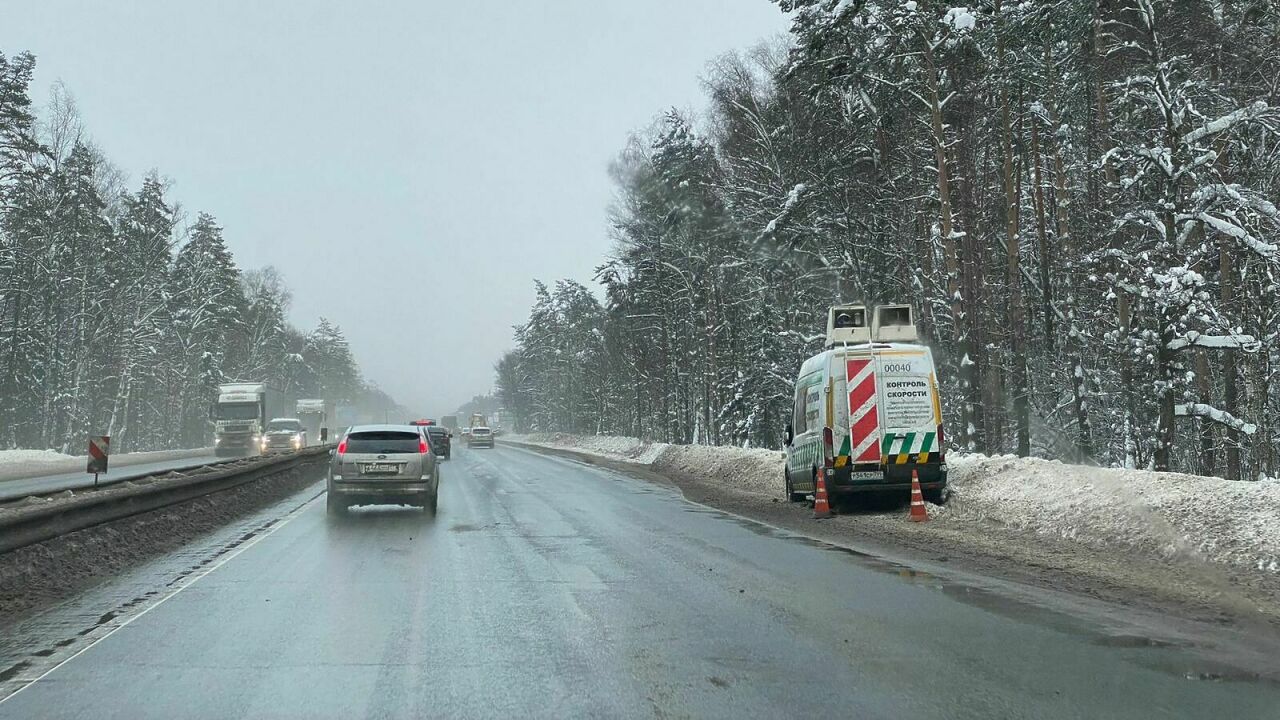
(386, 156)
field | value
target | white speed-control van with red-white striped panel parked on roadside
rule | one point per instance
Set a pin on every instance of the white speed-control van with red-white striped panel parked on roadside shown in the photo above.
(868, 409)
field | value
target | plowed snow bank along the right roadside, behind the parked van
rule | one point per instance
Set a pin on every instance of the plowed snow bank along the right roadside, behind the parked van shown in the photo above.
(1165, 516)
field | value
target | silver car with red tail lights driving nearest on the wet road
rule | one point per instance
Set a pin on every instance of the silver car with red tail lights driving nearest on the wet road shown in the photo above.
(383, 466)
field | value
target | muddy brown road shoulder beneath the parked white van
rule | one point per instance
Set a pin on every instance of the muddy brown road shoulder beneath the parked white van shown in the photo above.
(1195, 591)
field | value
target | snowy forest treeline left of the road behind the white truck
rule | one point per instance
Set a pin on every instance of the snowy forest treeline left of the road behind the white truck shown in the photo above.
(120, 315)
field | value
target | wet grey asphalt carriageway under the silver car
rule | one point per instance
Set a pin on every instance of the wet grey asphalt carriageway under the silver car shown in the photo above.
(546, 589)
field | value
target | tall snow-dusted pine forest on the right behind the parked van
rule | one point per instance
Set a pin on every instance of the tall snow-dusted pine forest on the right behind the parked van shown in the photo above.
(1078, 197)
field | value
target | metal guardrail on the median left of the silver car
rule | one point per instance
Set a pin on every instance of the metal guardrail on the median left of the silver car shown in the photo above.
(25, 526)
